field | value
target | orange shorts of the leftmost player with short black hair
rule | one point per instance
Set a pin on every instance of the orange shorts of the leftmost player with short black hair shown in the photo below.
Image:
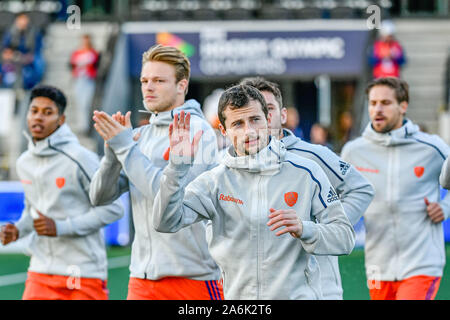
(54, 287)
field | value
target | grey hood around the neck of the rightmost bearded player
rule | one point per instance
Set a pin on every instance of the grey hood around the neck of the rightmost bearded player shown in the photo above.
(395, 137)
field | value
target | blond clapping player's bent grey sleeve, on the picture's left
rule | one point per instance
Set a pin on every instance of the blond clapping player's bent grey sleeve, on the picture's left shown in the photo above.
(108, 182)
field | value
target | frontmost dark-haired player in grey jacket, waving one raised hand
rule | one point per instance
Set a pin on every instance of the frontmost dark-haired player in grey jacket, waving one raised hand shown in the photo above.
(265, 227)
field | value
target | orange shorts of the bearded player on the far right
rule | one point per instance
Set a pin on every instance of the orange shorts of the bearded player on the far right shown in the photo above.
(413, 288)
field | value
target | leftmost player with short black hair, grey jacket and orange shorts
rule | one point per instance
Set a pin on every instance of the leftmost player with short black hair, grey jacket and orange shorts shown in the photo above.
(68, 260)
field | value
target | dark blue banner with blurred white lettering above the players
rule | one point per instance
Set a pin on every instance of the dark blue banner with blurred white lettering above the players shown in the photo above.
(220, 52)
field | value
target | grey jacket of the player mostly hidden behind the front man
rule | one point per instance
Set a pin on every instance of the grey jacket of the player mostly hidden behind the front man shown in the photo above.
(355, 193)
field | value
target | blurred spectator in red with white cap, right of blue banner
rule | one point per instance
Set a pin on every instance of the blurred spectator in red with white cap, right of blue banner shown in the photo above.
(387, 56)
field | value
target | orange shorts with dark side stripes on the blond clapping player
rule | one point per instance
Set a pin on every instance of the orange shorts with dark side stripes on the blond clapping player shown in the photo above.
(174, 288)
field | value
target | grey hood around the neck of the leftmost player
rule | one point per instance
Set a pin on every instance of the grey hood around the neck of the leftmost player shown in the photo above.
(44, 148)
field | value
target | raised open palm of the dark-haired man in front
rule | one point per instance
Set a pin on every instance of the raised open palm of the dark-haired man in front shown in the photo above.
(179, 136)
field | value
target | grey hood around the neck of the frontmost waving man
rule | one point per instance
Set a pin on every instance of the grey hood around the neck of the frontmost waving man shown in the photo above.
(266, 161)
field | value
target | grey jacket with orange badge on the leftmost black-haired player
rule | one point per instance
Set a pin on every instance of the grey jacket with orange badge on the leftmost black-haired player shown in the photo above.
(55, 173)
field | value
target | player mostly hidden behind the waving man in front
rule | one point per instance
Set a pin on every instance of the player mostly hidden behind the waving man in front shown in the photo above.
(355, 191)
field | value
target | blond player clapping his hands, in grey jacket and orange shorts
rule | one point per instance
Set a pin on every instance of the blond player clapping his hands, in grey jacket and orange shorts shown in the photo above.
(163, 266)
